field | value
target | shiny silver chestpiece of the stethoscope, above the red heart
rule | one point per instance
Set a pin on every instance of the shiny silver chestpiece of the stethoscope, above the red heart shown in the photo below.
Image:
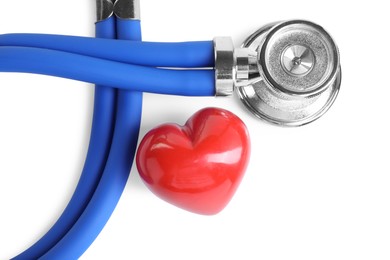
(288, 73)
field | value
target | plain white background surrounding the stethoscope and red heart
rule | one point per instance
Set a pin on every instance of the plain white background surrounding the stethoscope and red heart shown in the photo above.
(321, 191)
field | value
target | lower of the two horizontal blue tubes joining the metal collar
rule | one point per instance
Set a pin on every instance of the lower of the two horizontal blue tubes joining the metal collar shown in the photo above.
(107, 73)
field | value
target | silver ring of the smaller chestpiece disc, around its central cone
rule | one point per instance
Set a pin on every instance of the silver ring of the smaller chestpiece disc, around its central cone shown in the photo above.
(303, 33)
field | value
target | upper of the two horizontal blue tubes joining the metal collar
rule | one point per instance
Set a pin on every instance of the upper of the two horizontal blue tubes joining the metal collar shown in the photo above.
(184, 54)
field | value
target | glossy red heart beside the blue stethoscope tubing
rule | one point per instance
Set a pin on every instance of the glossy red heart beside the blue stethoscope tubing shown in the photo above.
(198, 166)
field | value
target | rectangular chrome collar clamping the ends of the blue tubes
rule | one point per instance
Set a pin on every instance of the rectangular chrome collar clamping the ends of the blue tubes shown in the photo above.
(224, 66)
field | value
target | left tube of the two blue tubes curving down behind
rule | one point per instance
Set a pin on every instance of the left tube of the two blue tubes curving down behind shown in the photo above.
(99, 146)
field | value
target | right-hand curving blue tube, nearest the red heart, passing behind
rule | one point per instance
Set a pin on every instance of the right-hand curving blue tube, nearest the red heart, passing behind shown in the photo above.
(113, 181)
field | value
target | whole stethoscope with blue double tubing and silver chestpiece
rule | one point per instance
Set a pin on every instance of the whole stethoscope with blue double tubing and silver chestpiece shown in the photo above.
(287, 73)
